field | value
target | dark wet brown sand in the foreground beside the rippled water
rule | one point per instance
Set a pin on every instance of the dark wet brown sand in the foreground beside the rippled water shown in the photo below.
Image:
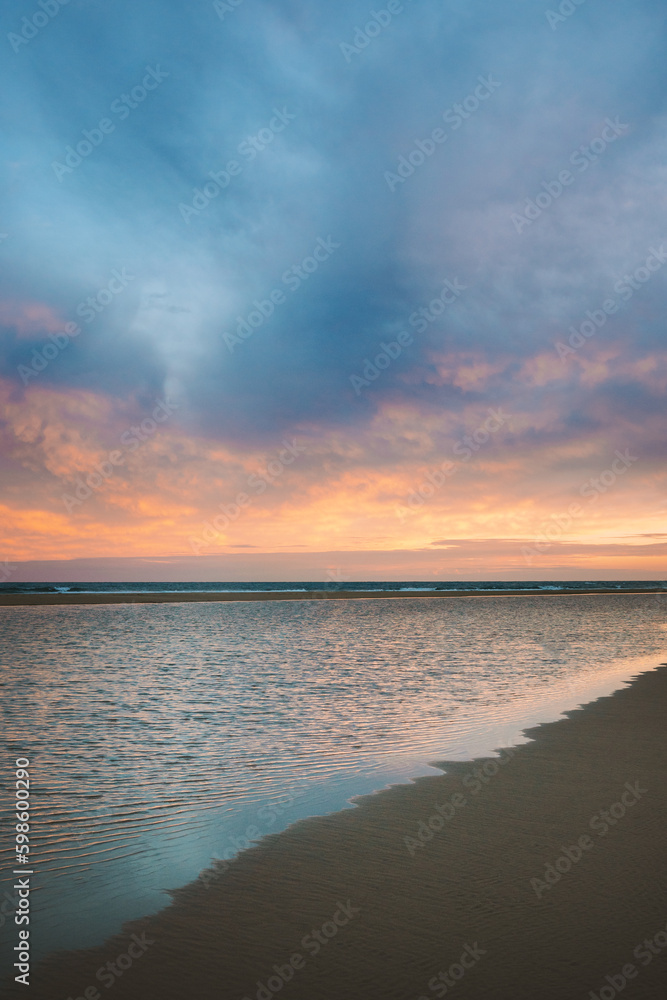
(371, 915)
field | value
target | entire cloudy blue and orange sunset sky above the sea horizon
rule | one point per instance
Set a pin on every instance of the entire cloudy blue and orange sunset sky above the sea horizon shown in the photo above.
(305, 290)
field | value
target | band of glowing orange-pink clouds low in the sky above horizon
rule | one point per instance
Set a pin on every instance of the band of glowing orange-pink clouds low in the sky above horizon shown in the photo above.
(380, 488)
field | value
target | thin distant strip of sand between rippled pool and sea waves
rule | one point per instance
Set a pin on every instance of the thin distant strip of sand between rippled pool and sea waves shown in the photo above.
(167, 597)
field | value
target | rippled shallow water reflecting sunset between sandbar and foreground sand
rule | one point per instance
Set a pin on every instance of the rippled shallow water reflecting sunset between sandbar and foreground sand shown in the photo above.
(162, 736)
